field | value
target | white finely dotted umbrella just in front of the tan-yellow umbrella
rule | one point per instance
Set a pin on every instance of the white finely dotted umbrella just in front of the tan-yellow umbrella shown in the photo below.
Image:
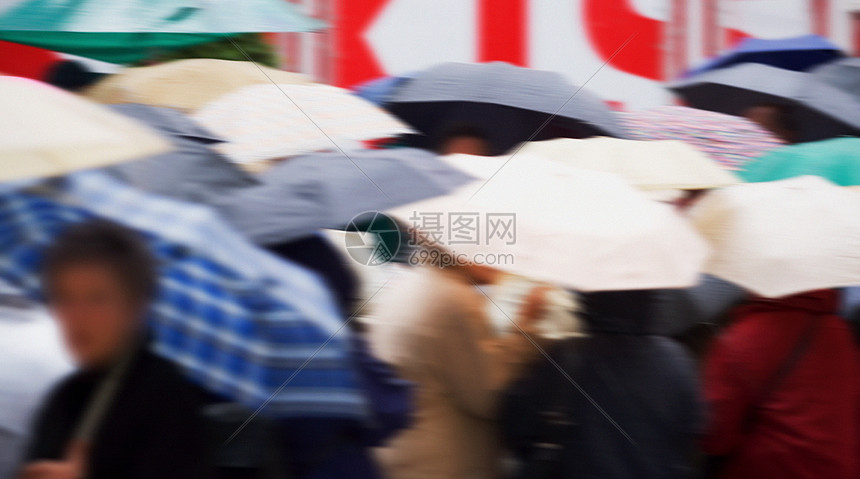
(267, 122)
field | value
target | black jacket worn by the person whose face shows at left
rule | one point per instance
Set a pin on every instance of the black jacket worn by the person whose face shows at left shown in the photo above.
(152, 430)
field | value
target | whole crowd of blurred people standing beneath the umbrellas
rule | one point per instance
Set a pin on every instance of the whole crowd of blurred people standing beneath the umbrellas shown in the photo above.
(468, 376)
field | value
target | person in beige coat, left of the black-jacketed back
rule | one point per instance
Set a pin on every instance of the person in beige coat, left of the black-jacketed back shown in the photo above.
(432, 326)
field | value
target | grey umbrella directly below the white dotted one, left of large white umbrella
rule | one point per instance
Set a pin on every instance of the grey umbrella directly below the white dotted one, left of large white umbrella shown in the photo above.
(327, 190)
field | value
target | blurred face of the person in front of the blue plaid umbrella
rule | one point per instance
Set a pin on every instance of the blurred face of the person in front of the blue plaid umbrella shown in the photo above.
(97, 316)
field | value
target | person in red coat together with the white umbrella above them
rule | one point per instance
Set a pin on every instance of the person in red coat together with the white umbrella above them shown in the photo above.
(782, 383)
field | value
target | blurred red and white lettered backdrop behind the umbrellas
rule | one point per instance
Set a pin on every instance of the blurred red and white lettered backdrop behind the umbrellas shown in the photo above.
(367, 39)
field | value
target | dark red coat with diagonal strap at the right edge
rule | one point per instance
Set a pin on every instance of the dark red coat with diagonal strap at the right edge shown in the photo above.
(809, 426)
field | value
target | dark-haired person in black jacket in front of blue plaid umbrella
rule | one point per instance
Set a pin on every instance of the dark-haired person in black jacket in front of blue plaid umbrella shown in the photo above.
(125, 413)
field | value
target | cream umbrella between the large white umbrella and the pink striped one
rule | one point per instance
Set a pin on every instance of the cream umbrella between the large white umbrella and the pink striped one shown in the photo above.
(648, 165)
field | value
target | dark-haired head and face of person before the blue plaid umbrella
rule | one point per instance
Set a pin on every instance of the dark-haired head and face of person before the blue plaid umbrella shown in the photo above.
(98, 278)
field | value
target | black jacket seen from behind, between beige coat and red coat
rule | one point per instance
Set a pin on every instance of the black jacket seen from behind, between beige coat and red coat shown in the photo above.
(642, 413)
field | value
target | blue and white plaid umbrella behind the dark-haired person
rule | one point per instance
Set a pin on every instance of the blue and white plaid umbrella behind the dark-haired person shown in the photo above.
(241, 322)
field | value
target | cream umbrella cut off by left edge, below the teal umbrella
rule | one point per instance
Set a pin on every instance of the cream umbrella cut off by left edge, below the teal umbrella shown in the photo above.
(45, 131)
